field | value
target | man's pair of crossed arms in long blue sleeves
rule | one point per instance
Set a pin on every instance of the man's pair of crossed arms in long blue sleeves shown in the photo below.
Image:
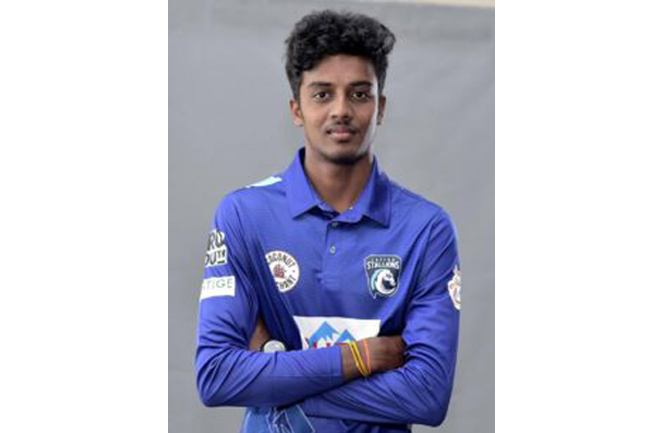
(411, 380)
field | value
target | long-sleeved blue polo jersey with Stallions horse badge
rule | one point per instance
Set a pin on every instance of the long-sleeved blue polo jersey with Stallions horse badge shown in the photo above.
(387, 266)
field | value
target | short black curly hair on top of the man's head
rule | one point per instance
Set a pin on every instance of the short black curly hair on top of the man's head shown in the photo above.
(327, 33)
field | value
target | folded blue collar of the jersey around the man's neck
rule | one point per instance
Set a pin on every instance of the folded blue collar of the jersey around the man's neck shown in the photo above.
(374, 201)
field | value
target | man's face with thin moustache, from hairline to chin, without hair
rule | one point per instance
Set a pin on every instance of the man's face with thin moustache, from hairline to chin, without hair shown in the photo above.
(339, 108)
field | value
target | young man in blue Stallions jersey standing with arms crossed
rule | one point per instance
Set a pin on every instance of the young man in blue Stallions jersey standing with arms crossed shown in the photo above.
(331, 298)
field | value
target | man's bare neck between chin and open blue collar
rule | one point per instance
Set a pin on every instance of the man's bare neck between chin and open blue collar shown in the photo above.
(338, 184)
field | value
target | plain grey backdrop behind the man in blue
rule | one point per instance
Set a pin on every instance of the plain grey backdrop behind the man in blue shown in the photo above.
(229, 126)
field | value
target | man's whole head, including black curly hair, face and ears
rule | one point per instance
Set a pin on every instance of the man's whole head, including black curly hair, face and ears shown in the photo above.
(336, 65)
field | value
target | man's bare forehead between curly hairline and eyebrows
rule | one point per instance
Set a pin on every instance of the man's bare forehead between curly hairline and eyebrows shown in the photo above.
(341, 69)
